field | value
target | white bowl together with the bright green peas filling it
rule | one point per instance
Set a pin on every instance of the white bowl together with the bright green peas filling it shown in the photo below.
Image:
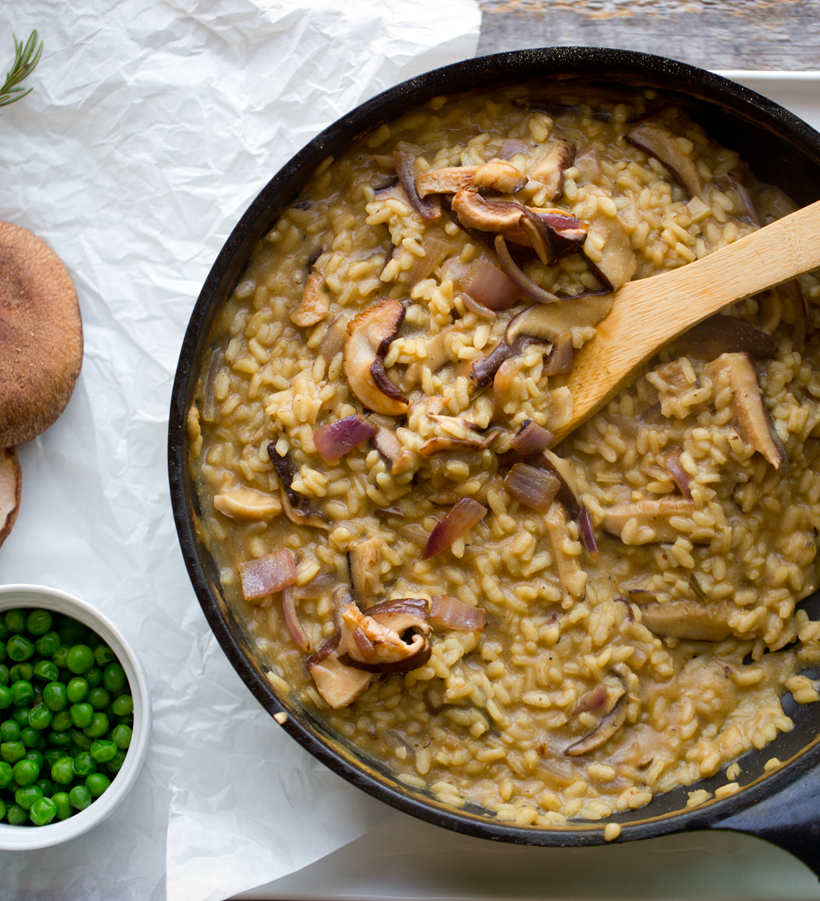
(75, 717)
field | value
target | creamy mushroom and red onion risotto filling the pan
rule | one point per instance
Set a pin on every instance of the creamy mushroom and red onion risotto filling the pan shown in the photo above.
(549, 631)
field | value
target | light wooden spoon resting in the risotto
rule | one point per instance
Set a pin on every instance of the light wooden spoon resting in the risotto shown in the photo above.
(650, 313)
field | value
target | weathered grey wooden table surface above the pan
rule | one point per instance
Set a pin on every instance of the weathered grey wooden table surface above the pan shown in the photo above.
(714, 34)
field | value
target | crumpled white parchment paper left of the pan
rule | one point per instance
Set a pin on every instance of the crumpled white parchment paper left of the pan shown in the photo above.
(152, 125)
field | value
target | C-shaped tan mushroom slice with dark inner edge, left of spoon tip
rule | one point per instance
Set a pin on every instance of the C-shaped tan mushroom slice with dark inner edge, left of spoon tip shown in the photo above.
(368, 338)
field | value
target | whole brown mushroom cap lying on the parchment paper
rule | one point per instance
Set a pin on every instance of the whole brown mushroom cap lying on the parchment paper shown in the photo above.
(41, 336)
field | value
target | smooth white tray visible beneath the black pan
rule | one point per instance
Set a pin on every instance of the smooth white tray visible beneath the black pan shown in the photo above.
(408, 859)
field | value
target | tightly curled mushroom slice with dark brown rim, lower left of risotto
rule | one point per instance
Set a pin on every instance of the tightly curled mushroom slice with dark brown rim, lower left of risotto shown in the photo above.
(367, 644)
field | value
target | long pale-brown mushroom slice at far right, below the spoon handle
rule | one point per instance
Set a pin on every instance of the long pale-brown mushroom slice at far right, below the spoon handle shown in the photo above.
(749, 406)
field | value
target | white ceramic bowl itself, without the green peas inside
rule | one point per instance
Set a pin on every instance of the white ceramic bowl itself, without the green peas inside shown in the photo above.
(28, 838)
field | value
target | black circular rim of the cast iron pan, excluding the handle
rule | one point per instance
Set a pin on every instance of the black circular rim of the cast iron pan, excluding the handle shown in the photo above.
(573, 61)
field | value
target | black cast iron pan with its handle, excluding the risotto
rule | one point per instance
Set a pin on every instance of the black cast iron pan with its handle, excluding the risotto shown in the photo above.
(782, 806)
